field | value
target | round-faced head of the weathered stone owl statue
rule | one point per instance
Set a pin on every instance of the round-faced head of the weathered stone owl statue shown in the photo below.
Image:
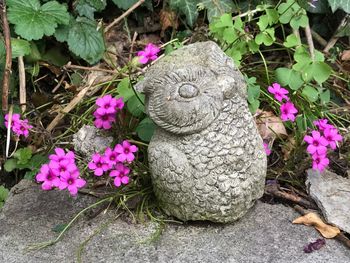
(186, 90)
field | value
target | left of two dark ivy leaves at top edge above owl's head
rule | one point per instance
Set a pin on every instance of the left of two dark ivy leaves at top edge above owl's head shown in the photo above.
(187, 8)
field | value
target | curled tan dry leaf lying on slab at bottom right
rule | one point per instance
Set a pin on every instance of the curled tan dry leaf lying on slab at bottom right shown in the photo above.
(312, 219)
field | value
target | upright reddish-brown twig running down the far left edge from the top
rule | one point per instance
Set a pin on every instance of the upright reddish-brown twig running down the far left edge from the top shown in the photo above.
(8, 61)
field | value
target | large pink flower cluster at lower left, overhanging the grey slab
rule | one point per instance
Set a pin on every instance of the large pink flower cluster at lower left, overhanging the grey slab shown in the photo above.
(61, 172)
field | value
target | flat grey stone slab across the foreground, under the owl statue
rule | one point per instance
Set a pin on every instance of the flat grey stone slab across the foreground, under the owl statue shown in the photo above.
(265, 235)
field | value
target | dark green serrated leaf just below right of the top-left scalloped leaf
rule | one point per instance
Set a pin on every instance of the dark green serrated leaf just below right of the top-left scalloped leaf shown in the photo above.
(84, 39)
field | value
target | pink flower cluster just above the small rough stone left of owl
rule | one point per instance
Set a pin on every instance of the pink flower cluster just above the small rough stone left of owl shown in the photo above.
(106, 110)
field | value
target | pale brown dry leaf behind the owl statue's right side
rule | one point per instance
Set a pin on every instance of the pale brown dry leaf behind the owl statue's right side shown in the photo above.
(269, 125)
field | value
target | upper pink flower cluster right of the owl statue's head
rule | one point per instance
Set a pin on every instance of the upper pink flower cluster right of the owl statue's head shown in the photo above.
(288, 110)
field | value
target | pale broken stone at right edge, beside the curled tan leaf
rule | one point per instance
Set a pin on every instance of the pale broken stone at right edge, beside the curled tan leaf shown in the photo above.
(331, 193)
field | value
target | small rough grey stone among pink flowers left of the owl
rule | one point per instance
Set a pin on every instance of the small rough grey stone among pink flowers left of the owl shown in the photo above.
(89, 140)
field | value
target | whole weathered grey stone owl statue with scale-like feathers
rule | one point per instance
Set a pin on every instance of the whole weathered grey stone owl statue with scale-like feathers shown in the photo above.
(206, 157)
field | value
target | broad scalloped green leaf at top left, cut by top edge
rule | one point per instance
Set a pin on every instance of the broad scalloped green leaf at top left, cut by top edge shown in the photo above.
(33, 21)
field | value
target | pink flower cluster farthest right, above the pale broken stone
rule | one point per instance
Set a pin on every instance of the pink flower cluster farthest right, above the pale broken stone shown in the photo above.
(326, 136)
